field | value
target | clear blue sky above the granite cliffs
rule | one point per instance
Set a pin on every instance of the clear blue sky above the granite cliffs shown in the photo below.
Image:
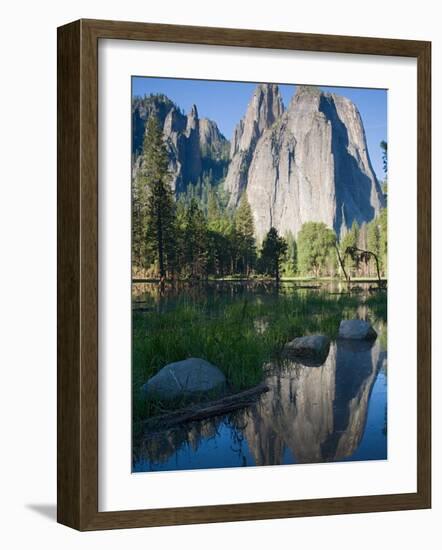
(226, 104)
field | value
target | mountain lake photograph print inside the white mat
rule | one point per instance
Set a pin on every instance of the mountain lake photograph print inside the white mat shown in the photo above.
(259, 273)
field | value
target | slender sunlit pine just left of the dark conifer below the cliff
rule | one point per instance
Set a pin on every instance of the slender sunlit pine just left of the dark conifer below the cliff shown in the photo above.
(245, 234)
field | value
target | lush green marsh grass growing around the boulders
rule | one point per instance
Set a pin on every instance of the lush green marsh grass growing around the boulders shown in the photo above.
(239, 335)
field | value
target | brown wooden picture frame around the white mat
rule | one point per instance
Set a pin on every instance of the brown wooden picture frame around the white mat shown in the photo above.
(78, 274)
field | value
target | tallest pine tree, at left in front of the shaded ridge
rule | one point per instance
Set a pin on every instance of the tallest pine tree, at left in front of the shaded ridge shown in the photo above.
(160, 207)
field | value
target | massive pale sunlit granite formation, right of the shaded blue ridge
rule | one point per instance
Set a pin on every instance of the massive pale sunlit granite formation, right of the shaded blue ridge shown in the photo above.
(309, 163)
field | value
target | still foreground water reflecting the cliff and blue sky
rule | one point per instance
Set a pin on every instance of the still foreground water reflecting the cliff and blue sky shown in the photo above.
(310, 414)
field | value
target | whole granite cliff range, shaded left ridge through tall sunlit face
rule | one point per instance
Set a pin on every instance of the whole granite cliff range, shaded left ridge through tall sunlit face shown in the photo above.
(308, 162)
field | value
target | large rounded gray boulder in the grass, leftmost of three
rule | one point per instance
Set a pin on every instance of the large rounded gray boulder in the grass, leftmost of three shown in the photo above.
(191, 378)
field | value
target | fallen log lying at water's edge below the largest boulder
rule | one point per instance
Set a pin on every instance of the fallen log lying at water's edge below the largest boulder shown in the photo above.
(201, 411)
